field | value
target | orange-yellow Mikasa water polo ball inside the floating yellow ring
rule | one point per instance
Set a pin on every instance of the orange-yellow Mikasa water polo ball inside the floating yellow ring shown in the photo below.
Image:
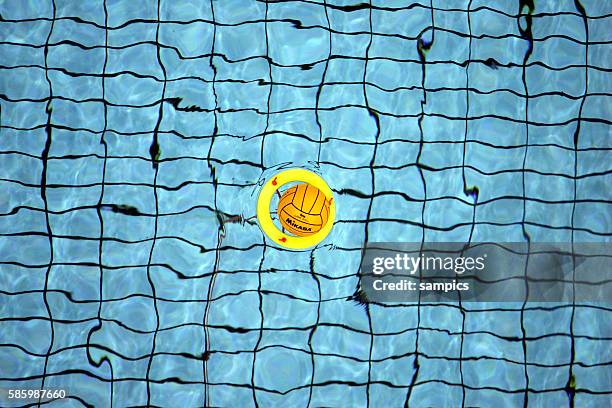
(303, 210)
